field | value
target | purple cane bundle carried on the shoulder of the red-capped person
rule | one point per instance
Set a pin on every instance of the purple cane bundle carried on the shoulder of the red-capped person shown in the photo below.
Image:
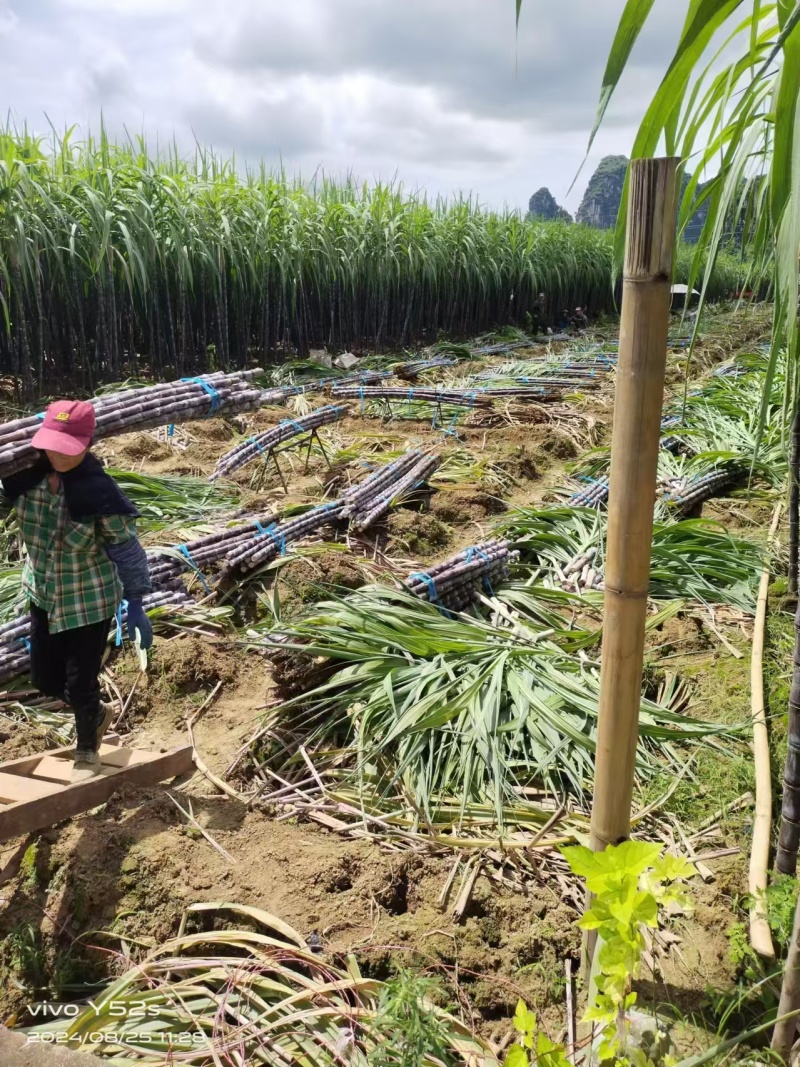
(143, 409)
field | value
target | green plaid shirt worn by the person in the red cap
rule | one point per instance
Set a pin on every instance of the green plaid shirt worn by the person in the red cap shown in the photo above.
(67, 574)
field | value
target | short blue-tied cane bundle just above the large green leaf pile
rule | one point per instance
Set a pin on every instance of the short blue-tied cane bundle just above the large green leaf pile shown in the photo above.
(456, 583)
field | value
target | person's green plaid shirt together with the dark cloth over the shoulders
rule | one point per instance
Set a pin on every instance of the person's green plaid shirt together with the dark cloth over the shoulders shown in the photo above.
(67, 572)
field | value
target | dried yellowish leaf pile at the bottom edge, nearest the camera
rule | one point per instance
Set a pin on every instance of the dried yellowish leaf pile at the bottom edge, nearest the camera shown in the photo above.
(253, 994)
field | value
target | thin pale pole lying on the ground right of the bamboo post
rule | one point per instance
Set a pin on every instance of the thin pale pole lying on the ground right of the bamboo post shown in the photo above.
(761, 936)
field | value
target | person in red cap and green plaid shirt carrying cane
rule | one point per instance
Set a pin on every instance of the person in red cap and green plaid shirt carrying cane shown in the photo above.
(83, 560)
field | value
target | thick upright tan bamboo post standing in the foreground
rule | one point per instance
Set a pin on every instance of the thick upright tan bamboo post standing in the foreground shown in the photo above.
(637, 432)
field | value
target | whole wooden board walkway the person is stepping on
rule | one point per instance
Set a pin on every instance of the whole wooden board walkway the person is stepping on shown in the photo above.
(36, 791)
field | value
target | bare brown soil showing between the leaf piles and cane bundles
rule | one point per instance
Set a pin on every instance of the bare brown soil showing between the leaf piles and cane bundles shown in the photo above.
(132, 866)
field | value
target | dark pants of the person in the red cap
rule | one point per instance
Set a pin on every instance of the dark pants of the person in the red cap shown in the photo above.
(67, 666)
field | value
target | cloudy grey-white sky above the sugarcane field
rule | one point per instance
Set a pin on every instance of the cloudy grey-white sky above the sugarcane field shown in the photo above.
(439, 93)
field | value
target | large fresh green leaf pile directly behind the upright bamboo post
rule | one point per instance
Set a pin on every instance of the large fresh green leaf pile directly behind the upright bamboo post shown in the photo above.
(430, 706)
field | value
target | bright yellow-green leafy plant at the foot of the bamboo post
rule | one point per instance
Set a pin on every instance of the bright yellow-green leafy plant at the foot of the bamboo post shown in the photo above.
(630, 884)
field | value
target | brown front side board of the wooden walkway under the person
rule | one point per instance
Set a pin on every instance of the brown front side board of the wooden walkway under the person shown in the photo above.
(31, 816)
